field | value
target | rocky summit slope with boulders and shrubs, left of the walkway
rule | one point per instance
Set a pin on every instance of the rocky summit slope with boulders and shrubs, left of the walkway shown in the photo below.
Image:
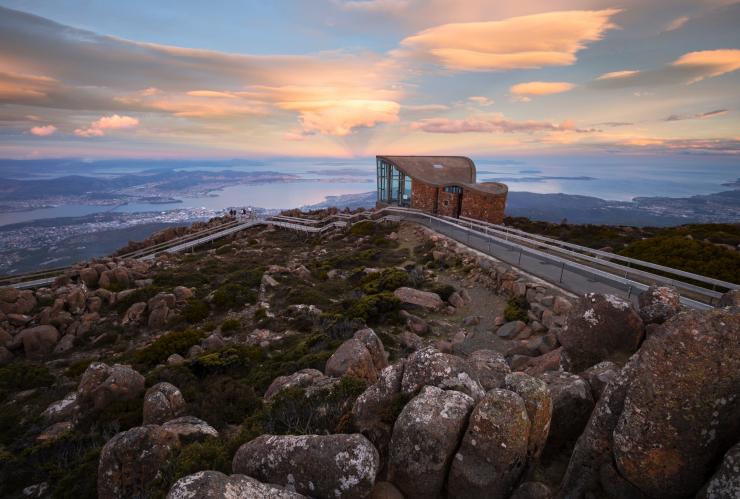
(381, 361)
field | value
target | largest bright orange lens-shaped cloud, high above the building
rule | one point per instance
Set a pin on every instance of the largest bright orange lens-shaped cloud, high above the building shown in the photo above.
(548, 39)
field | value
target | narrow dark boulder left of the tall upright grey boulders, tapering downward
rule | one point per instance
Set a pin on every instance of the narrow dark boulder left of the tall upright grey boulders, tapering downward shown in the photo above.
(374, 411)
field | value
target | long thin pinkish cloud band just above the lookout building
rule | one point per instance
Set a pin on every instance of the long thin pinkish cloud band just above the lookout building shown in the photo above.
(495, 123)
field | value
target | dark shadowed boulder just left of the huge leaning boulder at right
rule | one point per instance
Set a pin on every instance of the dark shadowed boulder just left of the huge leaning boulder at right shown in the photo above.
(572, 404)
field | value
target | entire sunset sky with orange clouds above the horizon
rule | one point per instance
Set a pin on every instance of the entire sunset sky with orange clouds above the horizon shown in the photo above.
(355, 78)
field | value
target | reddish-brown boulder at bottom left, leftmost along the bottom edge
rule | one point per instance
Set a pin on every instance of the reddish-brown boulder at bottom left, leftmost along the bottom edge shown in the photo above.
(132, 459)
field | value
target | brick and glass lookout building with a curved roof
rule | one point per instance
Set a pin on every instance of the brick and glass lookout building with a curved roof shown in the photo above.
(444, 185)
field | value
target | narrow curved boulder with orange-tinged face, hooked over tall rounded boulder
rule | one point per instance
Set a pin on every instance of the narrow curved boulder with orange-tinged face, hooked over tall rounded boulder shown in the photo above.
(538, 402)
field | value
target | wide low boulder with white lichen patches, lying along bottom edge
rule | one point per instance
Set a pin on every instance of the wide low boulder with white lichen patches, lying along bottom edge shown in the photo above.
(321, 466)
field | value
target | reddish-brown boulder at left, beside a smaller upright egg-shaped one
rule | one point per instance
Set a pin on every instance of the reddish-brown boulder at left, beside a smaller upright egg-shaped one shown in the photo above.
(102, 384)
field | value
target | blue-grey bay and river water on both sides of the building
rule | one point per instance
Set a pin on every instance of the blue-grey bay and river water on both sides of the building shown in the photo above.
(621, 178)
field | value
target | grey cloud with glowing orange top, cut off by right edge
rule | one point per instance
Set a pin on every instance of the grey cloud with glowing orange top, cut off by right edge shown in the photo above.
(687, 69)
